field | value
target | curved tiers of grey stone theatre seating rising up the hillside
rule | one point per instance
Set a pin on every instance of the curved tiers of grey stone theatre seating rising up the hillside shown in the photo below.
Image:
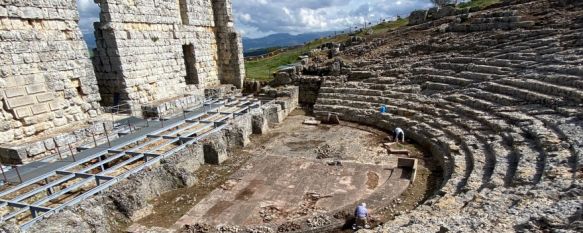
(502, 116)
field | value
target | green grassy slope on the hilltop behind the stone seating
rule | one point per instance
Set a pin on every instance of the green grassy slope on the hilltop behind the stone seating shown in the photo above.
(262, 70)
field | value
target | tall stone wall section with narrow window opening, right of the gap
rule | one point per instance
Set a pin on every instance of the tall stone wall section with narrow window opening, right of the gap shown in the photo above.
(156, 51)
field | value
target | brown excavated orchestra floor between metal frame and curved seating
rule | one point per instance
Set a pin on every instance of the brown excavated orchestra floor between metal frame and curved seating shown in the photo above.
(287, 175)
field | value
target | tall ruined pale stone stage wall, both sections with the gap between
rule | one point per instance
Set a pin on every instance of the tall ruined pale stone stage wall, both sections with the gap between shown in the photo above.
(49, 85)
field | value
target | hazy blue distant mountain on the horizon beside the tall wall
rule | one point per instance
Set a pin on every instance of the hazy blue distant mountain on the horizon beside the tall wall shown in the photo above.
(281, 40)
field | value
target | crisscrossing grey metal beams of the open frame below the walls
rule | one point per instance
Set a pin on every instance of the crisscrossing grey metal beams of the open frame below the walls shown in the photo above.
(176, 142)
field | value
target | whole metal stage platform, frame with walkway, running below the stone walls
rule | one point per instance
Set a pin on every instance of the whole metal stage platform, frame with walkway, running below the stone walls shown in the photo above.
(46, 188)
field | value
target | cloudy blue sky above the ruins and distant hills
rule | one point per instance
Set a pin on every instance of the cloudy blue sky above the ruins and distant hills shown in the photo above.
(258, 18)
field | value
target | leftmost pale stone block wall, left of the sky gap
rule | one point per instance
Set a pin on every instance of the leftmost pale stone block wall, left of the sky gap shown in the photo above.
(47, 81)
